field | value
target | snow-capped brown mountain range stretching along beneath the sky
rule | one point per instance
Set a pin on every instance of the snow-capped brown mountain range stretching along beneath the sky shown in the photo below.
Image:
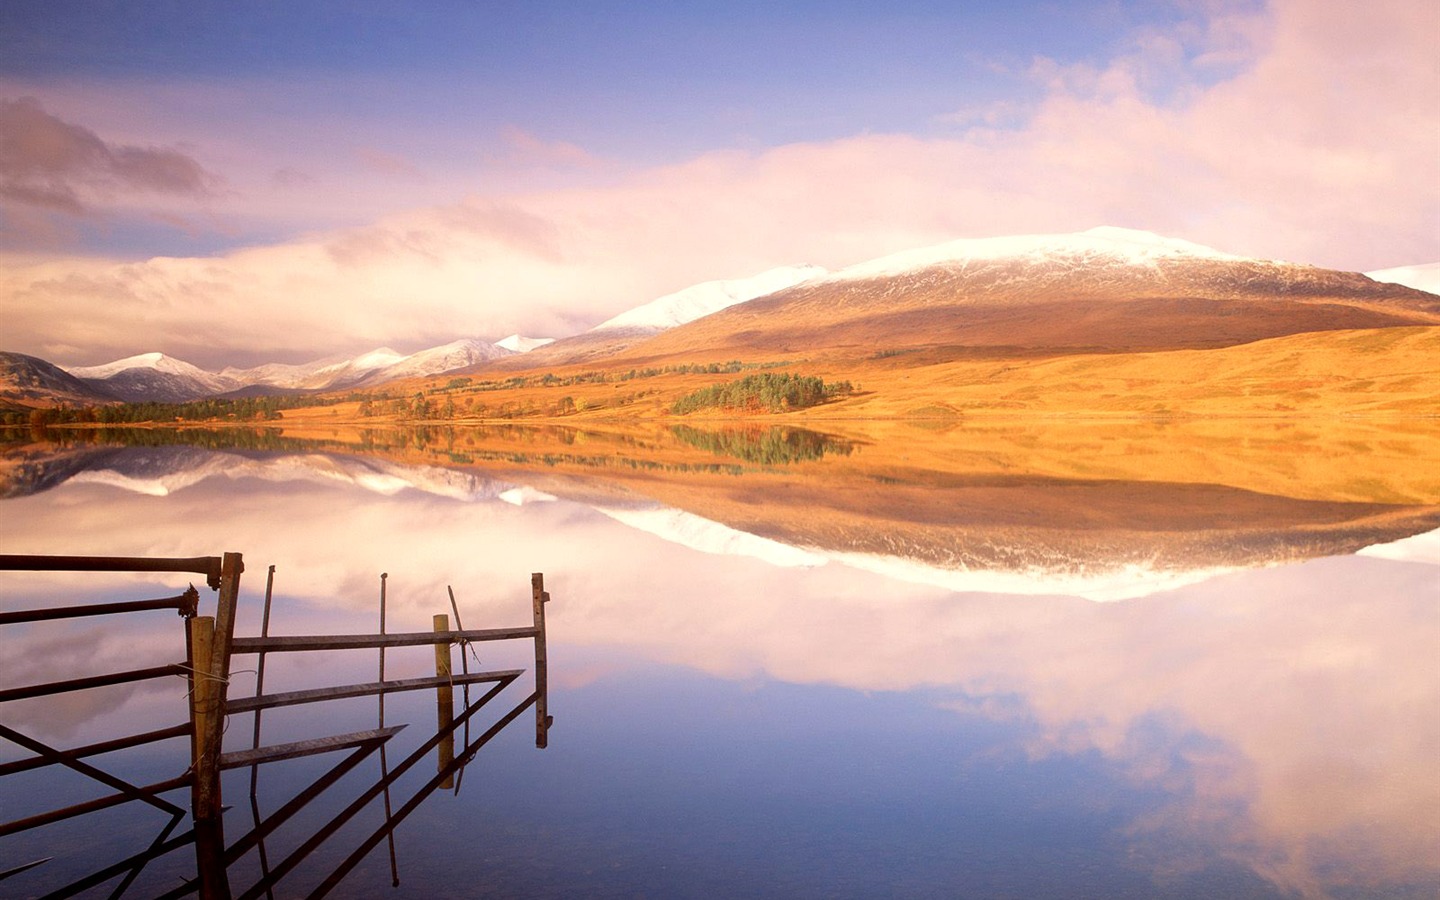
(1107, 290)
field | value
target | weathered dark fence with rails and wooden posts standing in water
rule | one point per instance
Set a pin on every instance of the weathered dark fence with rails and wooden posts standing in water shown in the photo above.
(210, 647)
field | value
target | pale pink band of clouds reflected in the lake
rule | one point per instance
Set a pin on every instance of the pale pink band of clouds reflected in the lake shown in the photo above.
(1290, 712)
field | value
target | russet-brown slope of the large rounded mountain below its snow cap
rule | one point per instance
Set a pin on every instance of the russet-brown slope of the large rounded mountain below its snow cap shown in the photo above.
(1022, 306)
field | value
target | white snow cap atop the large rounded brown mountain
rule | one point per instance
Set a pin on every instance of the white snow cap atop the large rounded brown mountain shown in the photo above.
(1107, 244)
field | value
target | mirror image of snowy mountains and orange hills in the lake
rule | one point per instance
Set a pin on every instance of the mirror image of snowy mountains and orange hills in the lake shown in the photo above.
(798, 498)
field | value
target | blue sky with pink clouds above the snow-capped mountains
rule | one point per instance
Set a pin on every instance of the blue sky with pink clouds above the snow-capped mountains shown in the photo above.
(283, 182)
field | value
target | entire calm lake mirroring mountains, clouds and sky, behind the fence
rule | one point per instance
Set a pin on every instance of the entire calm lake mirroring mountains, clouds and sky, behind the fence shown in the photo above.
(853, 660)
